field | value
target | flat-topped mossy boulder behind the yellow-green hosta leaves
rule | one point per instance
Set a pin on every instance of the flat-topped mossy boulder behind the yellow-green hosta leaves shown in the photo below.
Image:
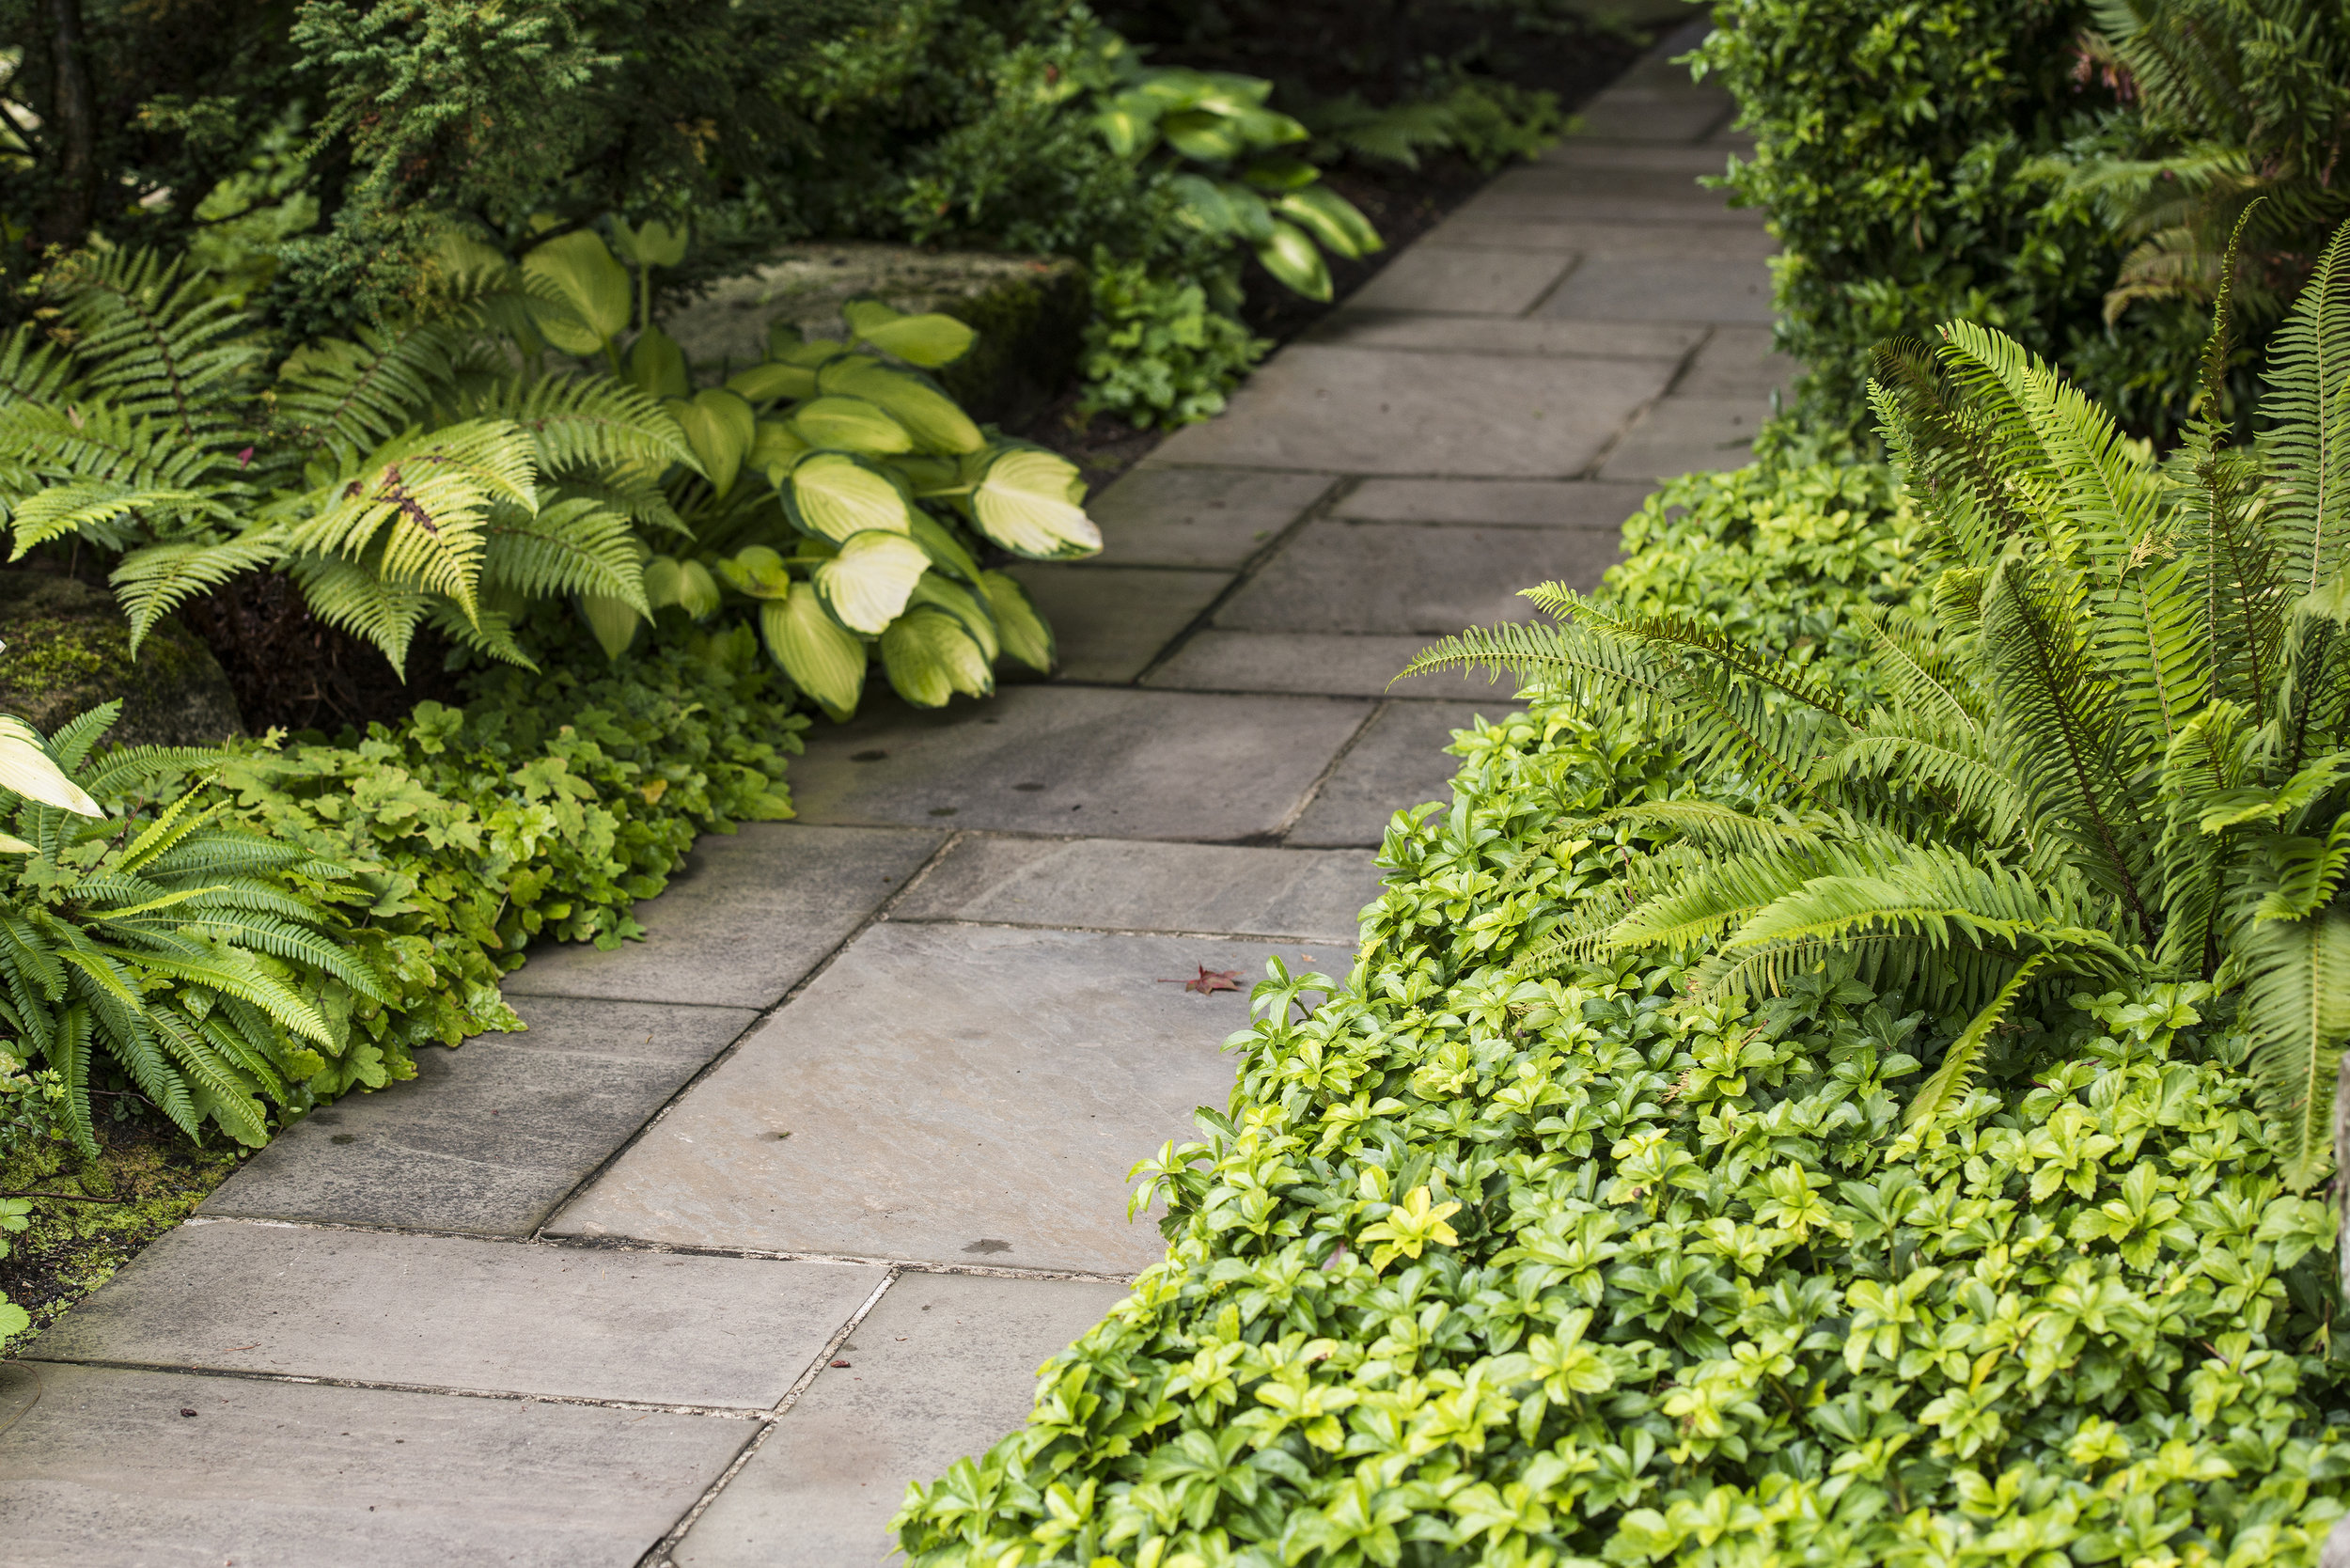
(1030, 314)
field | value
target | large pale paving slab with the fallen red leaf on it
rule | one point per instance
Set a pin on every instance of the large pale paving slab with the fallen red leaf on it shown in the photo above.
(953, 1094)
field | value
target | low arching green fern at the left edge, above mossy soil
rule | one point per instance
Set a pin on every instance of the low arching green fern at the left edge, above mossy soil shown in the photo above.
(156, 937)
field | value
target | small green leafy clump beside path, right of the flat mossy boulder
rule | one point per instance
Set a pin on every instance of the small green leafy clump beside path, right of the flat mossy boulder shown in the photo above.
(1160, 351)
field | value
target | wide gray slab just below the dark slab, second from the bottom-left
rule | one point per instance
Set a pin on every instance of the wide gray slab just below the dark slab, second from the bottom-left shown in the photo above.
(462, 1313)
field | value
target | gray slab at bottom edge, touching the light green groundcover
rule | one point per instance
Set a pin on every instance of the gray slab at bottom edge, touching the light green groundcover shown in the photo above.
(941, 1369)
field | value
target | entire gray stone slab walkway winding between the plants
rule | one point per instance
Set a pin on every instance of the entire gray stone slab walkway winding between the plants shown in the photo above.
(781, 1209)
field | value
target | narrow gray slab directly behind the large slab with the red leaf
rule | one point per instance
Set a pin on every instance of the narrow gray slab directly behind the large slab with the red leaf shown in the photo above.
(1139, 885)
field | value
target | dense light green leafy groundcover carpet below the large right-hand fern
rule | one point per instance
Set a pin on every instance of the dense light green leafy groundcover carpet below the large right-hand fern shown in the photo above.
(1576, 1273)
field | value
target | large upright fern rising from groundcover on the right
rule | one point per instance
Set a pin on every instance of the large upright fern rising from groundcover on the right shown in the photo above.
(2119, 751)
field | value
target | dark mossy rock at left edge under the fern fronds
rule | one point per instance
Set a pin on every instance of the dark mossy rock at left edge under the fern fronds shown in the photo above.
(72, 650)
